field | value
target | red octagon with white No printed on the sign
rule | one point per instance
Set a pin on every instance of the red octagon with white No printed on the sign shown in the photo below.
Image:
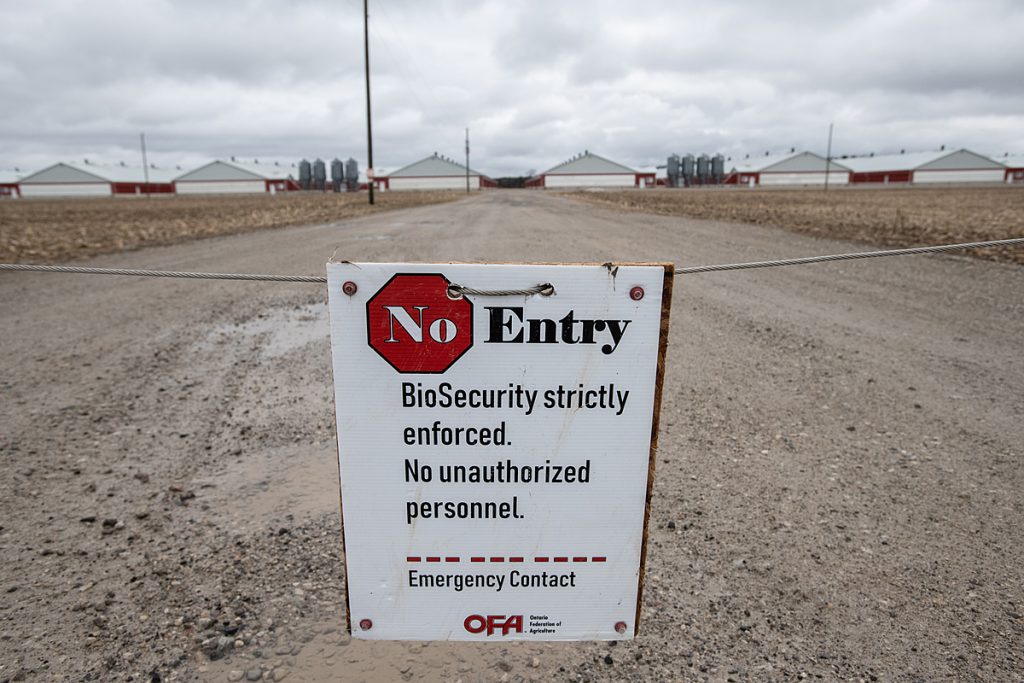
(414, 325)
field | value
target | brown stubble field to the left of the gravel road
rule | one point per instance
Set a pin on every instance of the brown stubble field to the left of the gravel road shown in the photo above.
(47, 231)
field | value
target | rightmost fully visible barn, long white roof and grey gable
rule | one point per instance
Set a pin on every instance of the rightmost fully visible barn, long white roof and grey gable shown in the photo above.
(926, 167)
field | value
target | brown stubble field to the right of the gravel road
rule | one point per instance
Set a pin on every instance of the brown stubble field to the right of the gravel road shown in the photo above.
(885, 218)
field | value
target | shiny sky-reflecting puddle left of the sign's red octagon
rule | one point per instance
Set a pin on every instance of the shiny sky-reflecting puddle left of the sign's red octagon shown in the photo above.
(284, 330)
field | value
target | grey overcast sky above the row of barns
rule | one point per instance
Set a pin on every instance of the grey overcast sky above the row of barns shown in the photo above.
(535, 81)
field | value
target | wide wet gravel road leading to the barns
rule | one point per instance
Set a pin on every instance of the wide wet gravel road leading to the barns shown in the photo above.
(838, 494)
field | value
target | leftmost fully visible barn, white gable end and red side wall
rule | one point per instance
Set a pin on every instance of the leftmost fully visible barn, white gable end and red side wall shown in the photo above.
(95, 181)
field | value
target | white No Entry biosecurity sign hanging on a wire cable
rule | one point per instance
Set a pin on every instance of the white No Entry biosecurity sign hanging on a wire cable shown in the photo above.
(496, 451)
